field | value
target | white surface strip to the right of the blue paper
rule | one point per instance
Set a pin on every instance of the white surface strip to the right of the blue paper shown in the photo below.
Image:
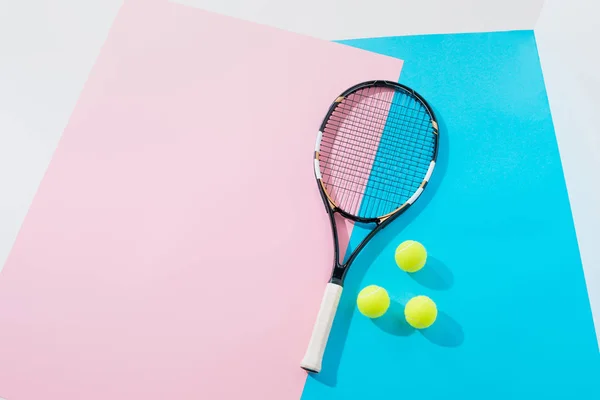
(567, 34)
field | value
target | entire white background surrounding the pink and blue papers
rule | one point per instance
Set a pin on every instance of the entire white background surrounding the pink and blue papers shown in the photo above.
(48, 47)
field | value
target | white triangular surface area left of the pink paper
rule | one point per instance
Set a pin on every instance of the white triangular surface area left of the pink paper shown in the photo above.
(47, 49)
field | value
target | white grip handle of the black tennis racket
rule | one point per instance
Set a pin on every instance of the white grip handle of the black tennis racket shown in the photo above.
(318, 341)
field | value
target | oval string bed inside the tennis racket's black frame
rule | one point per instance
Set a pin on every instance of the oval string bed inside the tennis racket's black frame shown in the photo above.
(376, 149)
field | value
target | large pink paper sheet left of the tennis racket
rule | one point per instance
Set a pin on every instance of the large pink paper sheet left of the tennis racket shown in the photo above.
(177, 247)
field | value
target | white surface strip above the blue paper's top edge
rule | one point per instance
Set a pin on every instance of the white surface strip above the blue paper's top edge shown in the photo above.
(346, 19)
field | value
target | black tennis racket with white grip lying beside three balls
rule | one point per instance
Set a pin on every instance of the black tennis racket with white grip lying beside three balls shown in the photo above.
(376, 150)
